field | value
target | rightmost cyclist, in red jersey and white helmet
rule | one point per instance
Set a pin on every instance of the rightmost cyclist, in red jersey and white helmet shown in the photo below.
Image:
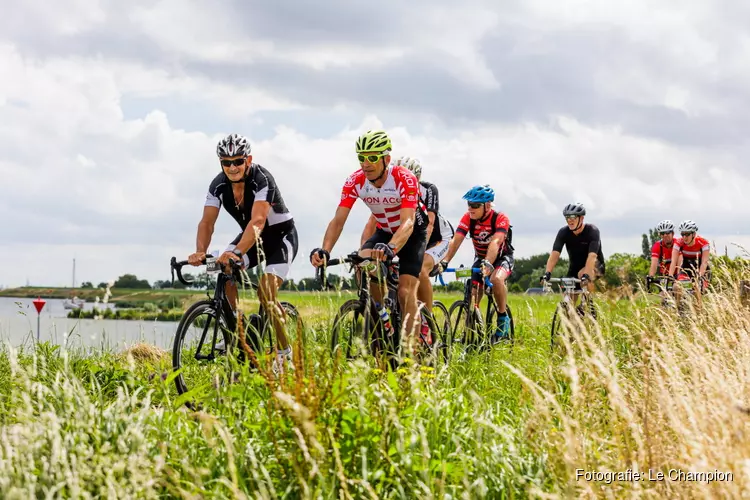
(693, 250)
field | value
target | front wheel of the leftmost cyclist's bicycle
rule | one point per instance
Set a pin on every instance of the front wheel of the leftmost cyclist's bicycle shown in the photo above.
(201, 329)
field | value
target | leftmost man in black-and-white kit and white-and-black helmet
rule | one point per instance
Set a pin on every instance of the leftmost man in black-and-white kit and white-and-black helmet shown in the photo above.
(249, 193)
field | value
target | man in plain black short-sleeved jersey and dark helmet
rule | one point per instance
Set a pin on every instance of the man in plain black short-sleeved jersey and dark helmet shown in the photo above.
(584, 246)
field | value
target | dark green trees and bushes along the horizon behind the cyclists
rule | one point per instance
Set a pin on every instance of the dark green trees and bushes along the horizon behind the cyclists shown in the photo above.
(621, 269)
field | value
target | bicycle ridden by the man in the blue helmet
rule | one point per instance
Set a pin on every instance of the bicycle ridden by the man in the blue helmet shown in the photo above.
(476, 326)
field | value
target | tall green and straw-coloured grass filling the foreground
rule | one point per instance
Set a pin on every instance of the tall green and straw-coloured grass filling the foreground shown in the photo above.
(642, 391)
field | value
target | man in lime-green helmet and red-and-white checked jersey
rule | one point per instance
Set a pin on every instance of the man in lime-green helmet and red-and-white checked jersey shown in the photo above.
(392, 194)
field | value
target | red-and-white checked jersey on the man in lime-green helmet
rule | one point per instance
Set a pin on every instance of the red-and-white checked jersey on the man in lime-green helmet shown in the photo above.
(400, 190)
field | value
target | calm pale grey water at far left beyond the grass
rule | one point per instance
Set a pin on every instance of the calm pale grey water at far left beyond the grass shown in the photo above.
(18, 320)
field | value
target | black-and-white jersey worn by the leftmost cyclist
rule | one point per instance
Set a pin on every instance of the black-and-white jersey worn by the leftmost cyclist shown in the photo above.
(259, 186)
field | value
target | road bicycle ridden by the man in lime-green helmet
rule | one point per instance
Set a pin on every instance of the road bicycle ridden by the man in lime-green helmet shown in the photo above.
(368, 326)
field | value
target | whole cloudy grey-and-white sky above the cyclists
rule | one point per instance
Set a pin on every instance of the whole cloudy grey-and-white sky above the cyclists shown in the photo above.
(110, 113)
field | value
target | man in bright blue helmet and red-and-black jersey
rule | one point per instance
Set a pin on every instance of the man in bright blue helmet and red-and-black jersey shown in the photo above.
(489, 230)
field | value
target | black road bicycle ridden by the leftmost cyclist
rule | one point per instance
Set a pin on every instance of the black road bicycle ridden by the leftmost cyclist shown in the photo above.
(257, 326)
